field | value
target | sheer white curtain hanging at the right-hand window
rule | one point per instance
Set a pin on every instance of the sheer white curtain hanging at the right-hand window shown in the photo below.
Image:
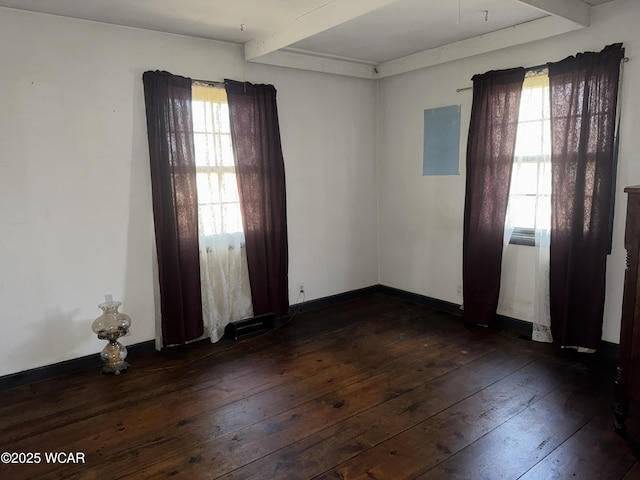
(530, 194)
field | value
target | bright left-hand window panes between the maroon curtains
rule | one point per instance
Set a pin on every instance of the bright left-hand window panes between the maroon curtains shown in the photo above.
(218, 200)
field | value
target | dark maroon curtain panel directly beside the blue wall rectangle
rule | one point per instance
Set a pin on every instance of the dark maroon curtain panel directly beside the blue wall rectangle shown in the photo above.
(490, 149)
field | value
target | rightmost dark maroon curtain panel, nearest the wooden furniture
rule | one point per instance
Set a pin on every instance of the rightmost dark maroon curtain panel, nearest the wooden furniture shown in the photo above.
(584, 93)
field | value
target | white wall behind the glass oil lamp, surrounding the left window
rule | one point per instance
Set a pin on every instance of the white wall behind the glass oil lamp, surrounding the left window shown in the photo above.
(75, 217)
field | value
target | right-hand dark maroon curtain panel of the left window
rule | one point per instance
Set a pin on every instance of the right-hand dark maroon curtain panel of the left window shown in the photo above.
(255, 133)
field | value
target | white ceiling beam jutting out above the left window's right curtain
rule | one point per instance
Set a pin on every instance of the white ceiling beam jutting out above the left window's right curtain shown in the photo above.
(329, 15)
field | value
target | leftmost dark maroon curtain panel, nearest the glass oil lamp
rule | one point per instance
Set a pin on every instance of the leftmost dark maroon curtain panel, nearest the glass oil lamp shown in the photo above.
(175, 204)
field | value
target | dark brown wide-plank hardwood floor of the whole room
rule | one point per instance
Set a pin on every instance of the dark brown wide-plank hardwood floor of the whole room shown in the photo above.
(373, 388)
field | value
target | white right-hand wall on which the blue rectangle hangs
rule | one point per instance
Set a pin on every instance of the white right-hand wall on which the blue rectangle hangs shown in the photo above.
(421, 218)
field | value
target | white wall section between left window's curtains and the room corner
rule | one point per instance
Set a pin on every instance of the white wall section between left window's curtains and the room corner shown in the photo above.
(328, 128)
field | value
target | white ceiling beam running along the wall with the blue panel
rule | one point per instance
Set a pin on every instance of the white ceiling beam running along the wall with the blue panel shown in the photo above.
(508, 37)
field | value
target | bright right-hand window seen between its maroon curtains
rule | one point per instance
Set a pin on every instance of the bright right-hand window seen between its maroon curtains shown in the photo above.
(530, 193)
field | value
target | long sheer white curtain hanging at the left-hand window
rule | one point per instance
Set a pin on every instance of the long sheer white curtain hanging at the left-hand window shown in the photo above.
(226, 295)
